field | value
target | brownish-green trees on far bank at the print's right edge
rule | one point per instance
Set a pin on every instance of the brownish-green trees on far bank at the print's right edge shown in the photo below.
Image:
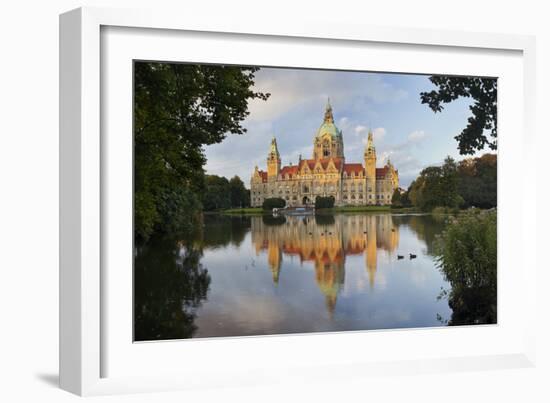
(478, 181)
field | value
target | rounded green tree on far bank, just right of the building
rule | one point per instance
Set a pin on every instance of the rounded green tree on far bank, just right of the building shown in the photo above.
(436, 187)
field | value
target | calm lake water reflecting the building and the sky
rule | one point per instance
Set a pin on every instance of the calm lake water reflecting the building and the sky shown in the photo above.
(271, 275)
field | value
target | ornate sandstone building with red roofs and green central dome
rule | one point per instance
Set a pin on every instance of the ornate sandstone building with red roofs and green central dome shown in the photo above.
(326, 174)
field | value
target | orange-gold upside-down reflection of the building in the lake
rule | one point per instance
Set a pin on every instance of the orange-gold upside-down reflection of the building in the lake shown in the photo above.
(326, 241)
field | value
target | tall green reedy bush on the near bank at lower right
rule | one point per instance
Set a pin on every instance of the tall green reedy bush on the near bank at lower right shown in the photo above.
(467, 257)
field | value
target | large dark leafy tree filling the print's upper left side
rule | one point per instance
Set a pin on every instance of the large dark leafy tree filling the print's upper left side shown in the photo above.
(178, 109)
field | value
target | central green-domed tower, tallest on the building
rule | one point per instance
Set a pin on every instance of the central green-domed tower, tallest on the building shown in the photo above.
(328, 141)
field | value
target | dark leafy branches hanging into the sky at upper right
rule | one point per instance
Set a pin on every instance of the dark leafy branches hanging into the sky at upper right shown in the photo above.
(484, 109)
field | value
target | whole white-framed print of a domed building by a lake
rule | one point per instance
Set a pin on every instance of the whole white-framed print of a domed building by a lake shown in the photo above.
(236, 199)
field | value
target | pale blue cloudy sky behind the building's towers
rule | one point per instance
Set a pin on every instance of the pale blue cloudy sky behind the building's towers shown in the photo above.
(406, 131)
